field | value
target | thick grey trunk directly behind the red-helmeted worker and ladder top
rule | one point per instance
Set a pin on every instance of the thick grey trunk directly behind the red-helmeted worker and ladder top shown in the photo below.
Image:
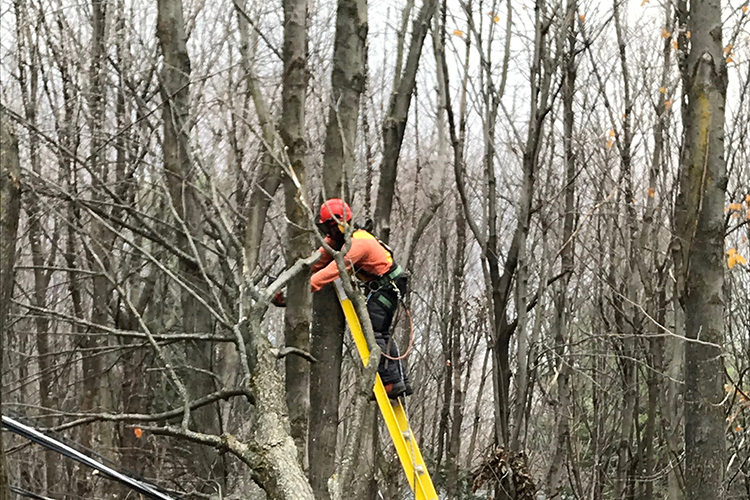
(347, 82)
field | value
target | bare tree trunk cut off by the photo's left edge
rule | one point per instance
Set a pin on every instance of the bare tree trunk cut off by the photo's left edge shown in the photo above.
(10, 211)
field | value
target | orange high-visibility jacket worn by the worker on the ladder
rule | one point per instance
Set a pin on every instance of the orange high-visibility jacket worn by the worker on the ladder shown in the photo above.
(366, 256)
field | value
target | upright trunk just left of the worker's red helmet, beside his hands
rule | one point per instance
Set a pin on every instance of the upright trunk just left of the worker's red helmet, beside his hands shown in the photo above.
(298, 245)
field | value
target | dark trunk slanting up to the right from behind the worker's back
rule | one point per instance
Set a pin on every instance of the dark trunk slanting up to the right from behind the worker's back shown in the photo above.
(394, 124)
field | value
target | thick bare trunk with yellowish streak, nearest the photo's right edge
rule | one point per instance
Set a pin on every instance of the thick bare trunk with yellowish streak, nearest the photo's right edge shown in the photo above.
(700, 213)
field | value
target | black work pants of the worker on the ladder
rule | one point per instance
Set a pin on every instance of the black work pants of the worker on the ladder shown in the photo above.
(381, 306)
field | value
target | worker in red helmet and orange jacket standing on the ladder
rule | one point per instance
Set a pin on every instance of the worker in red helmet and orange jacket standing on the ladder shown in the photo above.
(372, 262)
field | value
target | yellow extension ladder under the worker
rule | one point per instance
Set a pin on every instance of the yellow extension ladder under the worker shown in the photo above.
(393, 412)
